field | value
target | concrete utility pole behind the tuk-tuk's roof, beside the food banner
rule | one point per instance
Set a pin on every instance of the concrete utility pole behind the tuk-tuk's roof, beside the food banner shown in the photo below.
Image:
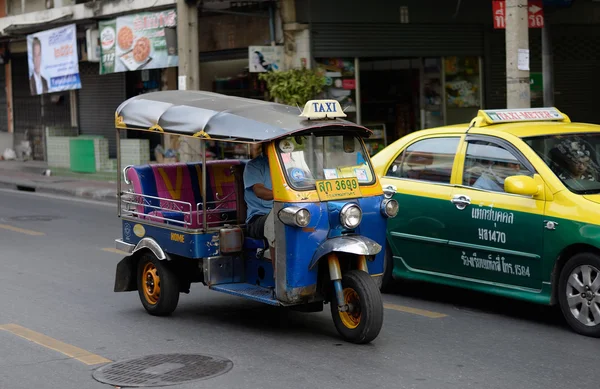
(189, 66)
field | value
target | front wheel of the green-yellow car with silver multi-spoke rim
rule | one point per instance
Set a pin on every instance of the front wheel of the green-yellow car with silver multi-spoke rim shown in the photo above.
(579, 293)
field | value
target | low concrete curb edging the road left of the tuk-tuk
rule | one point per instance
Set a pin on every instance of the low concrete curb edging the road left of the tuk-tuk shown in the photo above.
(89, 193)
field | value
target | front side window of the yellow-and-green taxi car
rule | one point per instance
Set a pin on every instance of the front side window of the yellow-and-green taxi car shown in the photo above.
(487, 165)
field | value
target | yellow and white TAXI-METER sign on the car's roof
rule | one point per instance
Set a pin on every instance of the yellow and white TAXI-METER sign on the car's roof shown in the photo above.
(496, 116)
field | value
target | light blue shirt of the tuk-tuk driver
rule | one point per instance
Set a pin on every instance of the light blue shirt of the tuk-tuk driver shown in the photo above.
(257, 172)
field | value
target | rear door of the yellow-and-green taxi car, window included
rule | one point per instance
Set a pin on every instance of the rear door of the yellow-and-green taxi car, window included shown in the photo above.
(421, 174)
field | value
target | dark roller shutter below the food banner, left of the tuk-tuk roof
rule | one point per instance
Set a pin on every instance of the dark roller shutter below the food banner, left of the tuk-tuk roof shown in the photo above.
(99, 97)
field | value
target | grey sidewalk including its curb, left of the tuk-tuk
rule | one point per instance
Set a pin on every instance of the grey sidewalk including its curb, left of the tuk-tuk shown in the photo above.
(29, 176)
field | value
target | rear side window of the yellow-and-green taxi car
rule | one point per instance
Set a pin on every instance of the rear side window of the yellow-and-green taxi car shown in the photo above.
(426, 160)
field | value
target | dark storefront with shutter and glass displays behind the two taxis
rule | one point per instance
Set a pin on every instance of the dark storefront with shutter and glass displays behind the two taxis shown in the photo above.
(403, 77)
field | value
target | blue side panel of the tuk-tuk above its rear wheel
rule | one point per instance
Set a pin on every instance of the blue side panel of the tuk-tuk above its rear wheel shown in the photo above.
(174, 241)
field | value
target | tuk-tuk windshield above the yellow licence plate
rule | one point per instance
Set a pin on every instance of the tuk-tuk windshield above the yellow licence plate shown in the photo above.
(307, 158)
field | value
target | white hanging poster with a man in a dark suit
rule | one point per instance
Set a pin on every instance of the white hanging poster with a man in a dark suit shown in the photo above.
(53, 62)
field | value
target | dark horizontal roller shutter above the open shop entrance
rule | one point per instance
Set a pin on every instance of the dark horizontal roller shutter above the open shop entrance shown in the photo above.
(395, 40)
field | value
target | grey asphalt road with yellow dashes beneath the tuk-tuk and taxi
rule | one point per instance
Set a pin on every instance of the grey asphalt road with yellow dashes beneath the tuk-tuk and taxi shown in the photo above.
(56, 285)
